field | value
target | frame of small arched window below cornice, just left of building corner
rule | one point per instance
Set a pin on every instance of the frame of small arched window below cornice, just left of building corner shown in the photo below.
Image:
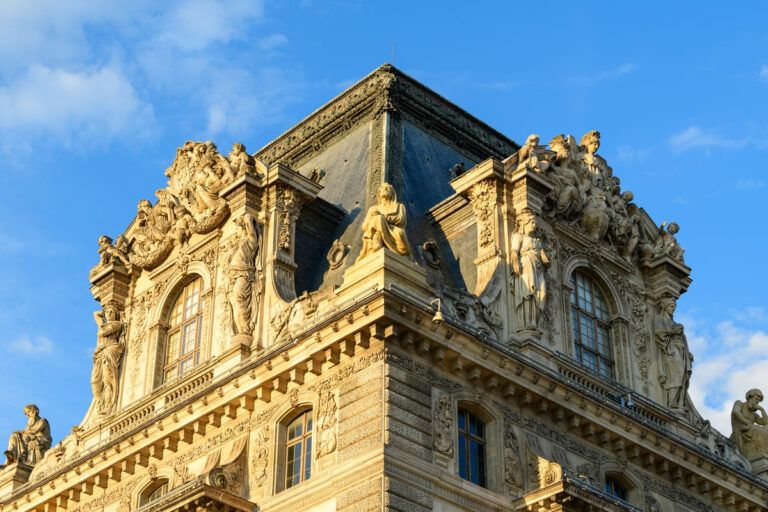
(307, 463)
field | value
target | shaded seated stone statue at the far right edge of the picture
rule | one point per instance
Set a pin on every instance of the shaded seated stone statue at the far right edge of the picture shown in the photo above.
(749, 422)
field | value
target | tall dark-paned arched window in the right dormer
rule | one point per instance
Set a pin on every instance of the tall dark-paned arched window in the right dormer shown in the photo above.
(590, 319)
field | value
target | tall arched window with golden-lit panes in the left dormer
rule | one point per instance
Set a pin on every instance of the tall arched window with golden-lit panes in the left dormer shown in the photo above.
(185, 331)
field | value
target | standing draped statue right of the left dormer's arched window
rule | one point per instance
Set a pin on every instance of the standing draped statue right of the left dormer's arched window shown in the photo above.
(244, 271)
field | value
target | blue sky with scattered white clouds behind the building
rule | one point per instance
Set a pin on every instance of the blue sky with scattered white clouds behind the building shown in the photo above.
(95, 96)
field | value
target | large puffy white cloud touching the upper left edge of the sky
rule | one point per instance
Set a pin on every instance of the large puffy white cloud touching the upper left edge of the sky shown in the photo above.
(73, 106)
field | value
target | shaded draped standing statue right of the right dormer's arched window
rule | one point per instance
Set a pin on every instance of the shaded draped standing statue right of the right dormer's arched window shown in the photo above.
(676, 359)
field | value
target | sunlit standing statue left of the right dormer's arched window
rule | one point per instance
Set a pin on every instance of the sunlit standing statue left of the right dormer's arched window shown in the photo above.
(528, 266)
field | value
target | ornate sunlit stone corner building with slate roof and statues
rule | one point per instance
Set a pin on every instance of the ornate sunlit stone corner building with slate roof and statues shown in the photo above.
(392, 306)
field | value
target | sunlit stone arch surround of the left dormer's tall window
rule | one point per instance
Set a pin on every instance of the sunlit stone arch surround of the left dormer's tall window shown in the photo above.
(159, 330)
